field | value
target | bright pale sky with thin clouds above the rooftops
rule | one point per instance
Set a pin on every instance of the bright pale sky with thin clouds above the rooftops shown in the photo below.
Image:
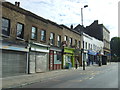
(68, 12)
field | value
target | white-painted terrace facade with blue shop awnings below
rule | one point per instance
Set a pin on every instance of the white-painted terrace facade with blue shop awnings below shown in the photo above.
(92, 47)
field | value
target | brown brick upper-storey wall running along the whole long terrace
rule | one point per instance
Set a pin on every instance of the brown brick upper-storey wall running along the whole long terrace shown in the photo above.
(16, 14)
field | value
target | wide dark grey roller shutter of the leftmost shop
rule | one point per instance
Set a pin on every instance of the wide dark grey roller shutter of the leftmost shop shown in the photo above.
(13, 63)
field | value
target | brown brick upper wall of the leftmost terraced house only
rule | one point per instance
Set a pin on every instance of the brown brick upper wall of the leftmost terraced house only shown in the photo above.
(14, 17)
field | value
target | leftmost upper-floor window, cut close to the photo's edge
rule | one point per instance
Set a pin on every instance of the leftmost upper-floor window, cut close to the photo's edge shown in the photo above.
(5, 26)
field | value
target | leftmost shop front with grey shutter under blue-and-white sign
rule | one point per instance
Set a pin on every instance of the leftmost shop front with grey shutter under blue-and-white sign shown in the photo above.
(14, 58)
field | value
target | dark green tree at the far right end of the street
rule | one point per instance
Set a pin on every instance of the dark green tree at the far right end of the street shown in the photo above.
(115, 48)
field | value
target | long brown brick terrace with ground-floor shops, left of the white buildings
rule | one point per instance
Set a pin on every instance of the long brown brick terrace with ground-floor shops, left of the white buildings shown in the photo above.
(32, 44)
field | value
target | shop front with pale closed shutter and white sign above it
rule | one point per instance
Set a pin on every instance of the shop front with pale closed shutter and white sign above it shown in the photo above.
(38, 58)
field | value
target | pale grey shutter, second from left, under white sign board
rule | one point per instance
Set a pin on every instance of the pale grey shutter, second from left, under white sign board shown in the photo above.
(38, 62)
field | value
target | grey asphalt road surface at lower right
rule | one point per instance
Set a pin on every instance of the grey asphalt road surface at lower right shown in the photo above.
(105, 76)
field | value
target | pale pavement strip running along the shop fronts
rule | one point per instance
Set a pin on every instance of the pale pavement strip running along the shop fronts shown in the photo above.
(17, 81)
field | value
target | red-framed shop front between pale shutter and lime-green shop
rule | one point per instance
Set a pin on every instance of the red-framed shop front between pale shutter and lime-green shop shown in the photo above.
(55, 58)
